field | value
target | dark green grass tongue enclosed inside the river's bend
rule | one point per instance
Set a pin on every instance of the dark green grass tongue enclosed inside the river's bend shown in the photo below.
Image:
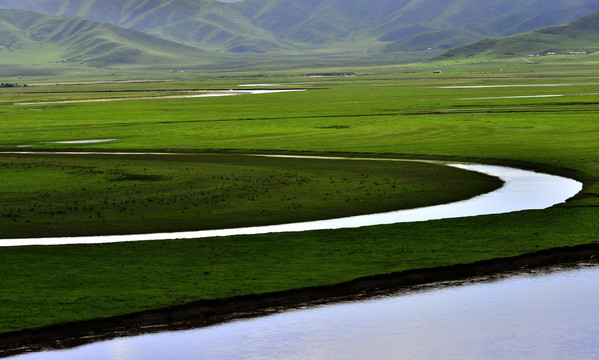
(81, 195)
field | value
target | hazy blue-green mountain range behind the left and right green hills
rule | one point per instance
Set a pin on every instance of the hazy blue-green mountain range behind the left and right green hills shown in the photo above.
(284, 25)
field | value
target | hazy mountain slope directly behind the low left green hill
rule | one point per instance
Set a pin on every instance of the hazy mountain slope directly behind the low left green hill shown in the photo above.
(210, 24)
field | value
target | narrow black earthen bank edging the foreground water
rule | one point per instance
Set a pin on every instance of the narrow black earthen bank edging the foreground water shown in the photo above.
(207, 312)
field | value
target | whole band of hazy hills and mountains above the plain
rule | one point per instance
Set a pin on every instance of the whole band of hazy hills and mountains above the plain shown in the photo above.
(159, 33)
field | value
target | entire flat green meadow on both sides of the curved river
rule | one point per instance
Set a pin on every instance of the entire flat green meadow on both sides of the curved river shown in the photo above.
(541, 116)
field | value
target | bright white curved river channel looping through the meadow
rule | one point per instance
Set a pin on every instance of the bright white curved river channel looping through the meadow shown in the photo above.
(522, 190)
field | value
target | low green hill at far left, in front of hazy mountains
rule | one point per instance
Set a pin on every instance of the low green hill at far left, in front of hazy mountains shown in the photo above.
(32, 38)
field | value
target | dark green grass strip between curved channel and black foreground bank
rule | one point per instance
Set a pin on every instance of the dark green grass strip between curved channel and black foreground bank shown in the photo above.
(47, 285)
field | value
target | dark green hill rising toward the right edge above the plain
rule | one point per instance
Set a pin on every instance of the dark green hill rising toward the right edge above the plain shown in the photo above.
(579, 35)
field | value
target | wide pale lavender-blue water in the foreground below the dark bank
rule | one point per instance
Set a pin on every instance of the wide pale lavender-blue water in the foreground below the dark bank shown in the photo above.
(543, 315)
